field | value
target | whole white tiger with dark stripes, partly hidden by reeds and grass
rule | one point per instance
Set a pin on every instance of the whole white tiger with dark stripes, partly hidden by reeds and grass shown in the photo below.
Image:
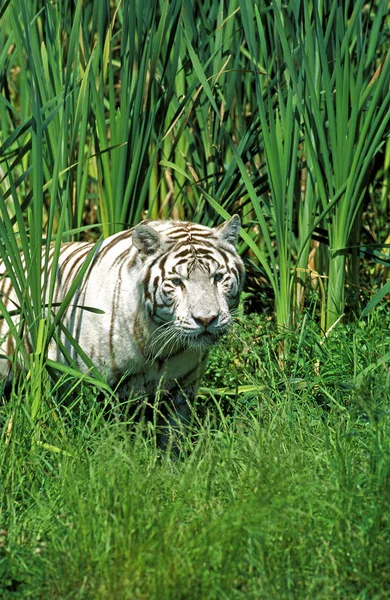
(167, 289)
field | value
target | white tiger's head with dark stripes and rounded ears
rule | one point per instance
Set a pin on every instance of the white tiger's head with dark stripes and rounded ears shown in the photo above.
(192, 278)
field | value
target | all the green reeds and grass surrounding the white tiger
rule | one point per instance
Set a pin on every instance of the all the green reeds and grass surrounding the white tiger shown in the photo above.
(112, 111)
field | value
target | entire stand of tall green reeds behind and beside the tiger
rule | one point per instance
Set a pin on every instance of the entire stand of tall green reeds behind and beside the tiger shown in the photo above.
(115, 111)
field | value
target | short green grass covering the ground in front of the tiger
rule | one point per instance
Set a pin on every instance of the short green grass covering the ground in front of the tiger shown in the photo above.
(288, 499)
